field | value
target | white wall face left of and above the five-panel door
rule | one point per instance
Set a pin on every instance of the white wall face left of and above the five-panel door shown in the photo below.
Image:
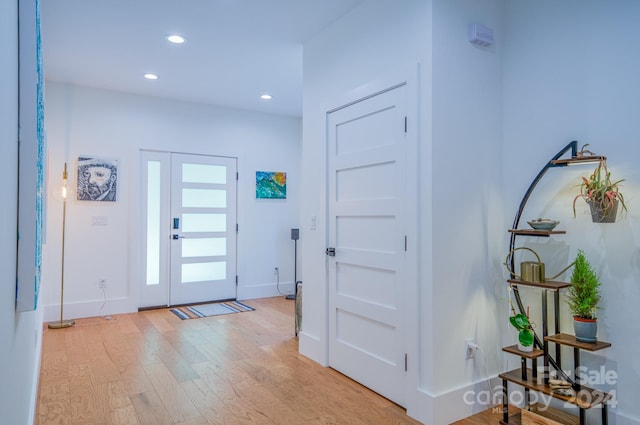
(370, 44)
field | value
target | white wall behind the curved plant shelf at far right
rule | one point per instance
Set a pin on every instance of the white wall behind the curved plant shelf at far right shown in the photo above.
(571, 73)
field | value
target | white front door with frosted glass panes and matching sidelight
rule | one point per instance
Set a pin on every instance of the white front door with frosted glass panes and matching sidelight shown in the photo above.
(189, 236)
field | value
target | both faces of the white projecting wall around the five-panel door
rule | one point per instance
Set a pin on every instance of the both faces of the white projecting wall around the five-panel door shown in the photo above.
(460, 153)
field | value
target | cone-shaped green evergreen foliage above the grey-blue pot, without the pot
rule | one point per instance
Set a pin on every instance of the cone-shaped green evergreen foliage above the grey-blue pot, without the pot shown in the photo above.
(583, 295)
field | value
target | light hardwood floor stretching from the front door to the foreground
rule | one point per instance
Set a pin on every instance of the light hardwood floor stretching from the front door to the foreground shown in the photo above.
(151, 368)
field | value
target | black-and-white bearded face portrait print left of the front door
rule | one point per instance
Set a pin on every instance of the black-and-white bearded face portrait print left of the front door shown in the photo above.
(97, 179)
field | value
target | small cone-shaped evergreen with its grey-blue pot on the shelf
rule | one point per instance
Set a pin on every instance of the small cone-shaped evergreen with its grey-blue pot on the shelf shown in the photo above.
(583, 298)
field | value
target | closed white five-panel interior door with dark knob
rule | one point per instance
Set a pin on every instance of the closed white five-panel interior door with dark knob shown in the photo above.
(367, 213)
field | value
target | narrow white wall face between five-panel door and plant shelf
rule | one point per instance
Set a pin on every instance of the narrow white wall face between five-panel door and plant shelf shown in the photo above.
(468, 230)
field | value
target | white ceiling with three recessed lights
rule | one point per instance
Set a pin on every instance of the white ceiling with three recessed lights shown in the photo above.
(235, 51)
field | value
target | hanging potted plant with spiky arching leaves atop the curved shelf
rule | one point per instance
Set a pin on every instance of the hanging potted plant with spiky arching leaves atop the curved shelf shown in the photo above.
(602, 194)
